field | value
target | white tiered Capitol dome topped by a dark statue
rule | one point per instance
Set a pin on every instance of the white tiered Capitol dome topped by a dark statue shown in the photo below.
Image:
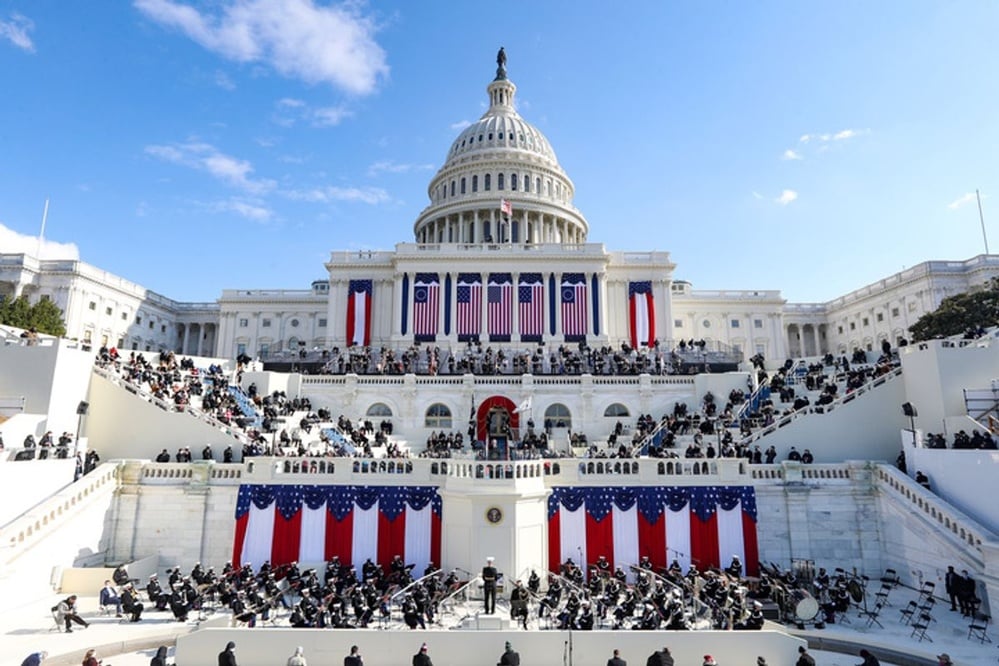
(501, 158)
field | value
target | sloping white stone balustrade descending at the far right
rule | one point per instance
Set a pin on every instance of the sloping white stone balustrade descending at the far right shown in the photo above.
(920, 501)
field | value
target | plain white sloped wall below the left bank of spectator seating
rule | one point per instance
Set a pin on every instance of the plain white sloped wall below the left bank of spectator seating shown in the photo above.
(123, 425)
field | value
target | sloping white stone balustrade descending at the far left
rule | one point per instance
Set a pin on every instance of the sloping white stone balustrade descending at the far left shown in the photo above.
(22, 532)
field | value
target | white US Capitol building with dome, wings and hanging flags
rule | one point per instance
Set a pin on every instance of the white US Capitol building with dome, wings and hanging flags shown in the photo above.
(501, 256)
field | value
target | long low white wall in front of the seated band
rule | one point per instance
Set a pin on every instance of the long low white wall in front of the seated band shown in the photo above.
(266, 647)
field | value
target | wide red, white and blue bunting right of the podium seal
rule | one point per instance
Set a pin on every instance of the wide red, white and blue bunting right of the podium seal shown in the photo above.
(705, 526)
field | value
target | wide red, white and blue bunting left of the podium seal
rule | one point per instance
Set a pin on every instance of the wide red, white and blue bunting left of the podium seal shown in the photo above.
(286, 523)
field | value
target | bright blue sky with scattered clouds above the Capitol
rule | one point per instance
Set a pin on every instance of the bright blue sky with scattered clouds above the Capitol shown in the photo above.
(811, 147)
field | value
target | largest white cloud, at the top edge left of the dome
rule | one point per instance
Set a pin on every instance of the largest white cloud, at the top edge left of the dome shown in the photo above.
(297, 38)
